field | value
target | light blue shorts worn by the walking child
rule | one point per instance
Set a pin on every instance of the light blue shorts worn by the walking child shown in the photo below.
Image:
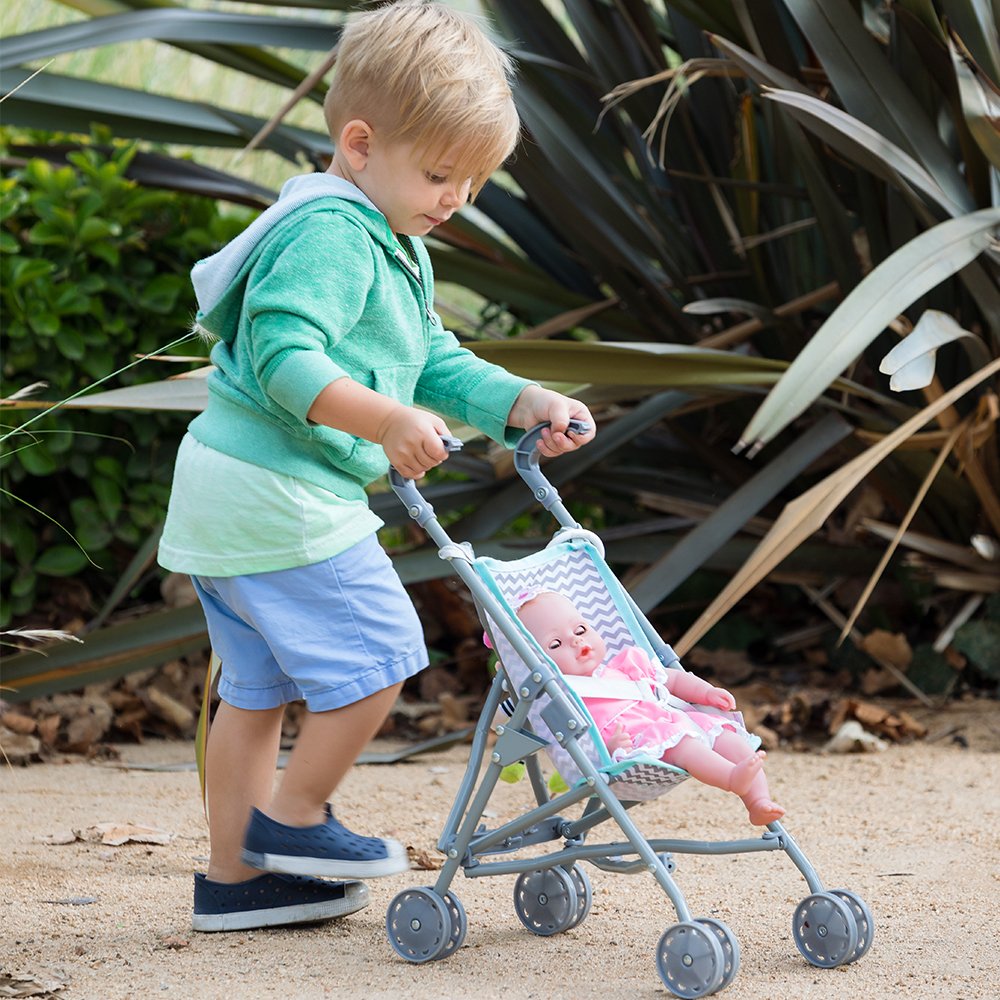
(331, 633)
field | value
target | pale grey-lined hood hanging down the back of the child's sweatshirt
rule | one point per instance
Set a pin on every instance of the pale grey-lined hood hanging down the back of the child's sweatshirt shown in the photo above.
(218, 280)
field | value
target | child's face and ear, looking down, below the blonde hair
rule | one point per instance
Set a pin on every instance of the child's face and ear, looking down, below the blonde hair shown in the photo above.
(413, 196)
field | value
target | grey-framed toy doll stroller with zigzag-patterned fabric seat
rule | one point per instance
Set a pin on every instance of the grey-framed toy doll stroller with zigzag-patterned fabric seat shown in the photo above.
(695, 956)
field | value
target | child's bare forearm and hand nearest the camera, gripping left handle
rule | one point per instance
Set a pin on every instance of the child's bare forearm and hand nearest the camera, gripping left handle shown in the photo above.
(411, 438)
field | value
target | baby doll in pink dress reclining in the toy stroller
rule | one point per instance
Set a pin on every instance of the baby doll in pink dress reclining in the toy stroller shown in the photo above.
(715, 749)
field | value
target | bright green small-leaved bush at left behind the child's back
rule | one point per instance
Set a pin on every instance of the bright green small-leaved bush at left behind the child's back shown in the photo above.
(93, 271)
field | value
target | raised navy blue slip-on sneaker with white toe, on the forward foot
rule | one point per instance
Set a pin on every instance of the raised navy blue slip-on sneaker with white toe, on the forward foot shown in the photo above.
(328, 849)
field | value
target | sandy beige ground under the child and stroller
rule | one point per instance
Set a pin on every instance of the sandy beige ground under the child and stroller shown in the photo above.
(913, 830)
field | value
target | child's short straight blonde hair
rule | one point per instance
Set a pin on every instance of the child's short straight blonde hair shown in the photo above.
(423, 73)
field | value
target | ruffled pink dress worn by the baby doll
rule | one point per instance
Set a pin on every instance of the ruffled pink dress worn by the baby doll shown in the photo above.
(655, 727)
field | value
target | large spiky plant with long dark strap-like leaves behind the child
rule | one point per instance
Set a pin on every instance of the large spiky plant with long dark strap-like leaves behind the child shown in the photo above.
(711, 197)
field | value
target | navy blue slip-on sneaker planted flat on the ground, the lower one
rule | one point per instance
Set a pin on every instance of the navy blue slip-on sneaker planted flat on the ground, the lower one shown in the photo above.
(272, 901)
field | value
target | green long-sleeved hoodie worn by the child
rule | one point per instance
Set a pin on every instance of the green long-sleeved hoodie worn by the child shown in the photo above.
(323, 293)
